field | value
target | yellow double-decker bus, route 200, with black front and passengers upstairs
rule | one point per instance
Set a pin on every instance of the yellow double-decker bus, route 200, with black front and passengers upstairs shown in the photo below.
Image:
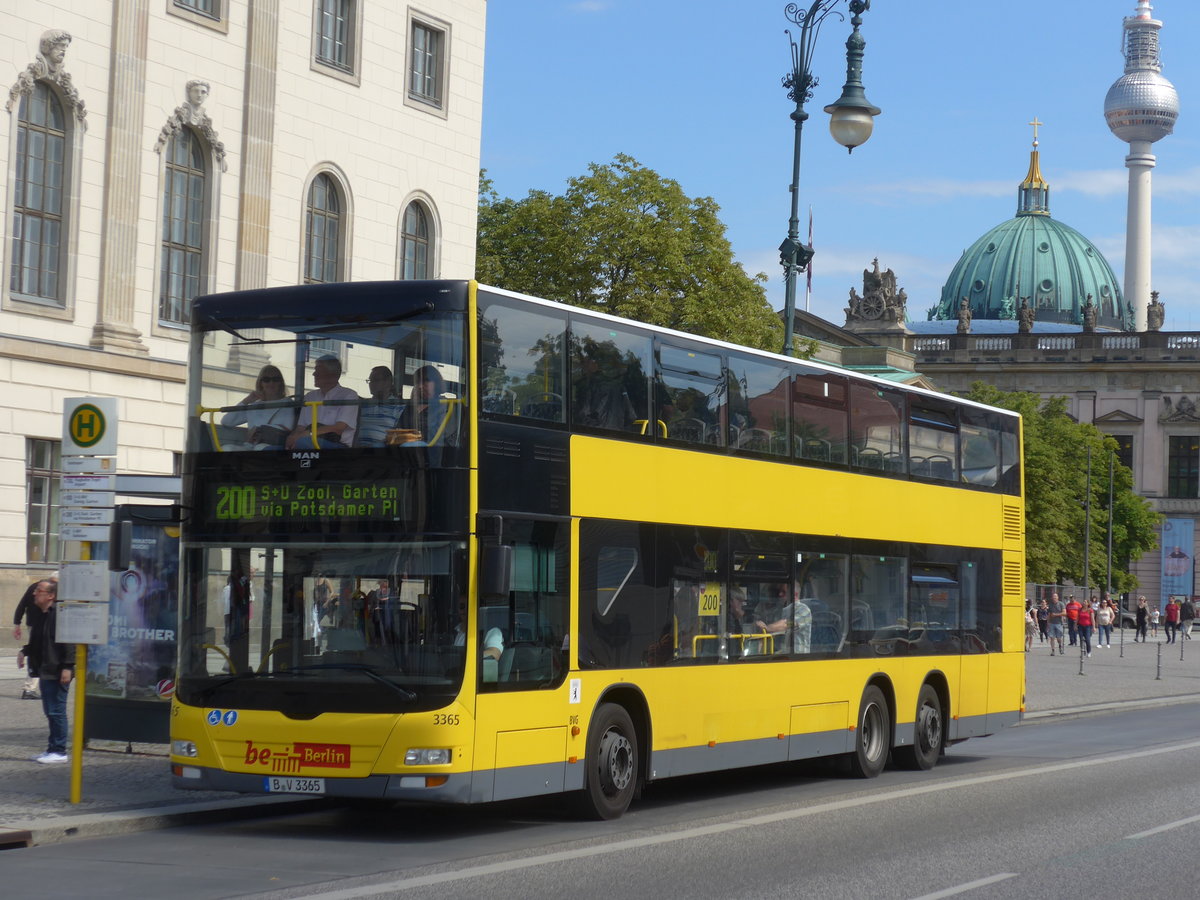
(451, 544)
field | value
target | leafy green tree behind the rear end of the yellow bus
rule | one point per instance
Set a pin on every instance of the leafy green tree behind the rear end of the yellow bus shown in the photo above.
(1057, 488)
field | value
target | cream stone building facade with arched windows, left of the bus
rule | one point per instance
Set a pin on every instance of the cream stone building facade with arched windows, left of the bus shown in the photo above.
(154, 151)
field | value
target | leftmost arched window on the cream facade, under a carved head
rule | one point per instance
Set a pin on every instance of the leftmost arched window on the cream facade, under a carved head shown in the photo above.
(38, 218)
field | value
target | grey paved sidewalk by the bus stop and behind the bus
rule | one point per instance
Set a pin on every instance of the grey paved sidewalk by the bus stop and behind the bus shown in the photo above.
(131, 791)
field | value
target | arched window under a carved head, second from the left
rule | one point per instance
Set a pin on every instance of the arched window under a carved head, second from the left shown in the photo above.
(183, 226)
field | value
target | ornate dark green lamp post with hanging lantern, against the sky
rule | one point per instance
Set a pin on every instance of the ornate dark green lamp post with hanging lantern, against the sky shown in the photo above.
(851, 122)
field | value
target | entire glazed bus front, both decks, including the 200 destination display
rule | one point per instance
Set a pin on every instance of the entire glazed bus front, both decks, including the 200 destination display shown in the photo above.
(325, 542)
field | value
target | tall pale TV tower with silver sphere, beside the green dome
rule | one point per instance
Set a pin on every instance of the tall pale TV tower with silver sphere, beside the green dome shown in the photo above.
(1141, 109)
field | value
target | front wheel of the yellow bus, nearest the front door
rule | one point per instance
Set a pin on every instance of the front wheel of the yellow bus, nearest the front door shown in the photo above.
(616, 758)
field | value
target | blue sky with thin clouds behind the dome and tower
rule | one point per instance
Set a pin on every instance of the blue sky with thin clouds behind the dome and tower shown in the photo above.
(693, 91)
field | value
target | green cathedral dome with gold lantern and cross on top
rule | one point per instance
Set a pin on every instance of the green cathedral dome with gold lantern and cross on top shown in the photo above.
(1039, 260)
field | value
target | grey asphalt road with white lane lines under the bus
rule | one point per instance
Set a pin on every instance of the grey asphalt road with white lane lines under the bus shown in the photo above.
(1096, 807)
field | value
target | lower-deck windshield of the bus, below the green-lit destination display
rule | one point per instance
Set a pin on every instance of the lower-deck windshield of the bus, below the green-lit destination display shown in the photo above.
(307, 629)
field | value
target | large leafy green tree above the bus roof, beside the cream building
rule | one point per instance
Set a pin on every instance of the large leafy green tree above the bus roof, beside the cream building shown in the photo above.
(625, 241)
